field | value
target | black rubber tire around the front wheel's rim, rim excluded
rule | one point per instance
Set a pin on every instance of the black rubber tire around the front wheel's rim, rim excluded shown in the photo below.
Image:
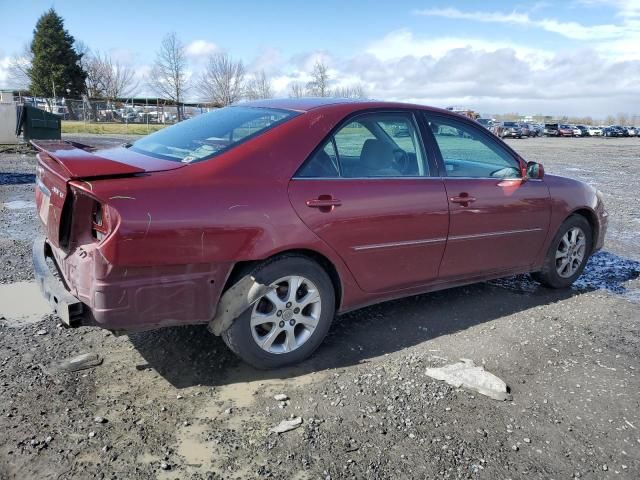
(549, 276)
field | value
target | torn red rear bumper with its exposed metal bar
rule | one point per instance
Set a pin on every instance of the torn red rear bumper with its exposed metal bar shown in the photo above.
(84, 289)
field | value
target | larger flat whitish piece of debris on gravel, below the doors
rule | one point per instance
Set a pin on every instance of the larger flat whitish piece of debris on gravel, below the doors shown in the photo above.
(468, 375)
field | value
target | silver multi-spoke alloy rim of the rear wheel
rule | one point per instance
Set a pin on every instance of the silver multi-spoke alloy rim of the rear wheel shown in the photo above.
(284, 319)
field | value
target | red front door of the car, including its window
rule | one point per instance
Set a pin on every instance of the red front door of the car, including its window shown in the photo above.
(498, 220)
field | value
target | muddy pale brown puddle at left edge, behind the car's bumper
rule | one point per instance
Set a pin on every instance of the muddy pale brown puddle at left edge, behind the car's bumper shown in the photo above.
(22, 303)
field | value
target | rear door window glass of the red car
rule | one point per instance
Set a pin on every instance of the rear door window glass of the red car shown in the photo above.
(372, 145)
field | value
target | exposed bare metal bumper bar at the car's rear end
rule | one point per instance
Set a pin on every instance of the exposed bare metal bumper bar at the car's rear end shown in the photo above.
(66, 306)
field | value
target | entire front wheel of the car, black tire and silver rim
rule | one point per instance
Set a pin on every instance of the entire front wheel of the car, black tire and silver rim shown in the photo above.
(553, 274)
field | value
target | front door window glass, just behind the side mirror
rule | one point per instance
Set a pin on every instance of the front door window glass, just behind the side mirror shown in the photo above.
(468, 153)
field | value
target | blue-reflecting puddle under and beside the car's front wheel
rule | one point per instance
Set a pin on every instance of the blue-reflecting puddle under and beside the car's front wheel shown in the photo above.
(605, 271)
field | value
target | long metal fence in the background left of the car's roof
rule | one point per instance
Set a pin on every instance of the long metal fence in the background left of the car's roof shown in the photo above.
(147, 111)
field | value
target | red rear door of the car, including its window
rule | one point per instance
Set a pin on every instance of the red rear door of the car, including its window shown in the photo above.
(368, 191)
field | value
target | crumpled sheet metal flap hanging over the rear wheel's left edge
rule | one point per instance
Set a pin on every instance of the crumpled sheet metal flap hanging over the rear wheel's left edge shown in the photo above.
(235, 301)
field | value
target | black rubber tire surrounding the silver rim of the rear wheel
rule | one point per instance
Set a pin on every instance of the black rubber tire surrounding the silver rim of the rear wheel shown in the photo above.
(239, 337)
